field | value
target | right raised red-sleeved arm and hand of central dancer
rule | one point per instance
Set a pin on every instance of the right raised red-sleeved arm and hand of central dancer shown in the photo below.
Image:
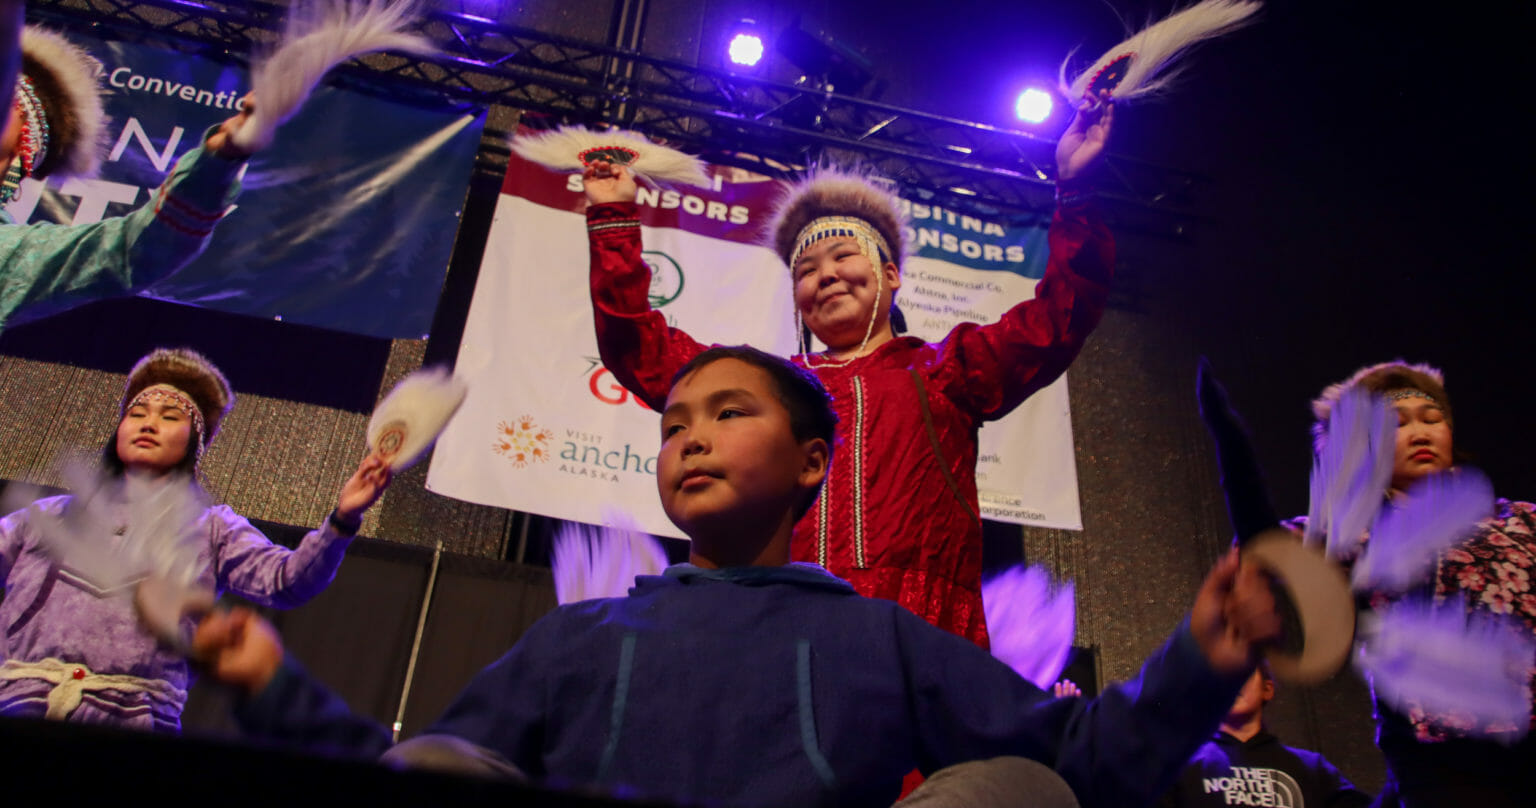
(991, 369)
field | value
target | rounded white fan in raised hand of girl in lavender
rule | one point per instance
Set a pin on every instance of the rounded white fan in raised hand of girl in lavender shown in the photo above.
(414, 414)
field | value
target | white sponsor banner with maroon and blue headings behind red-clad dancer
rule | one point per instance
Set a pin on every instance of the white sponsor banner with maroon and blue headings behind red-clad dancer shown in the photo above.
(548, 429)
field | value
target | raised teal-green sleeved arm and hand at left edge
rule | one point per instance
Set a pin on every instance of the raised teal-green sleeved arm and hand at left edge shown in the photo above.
(51, 268)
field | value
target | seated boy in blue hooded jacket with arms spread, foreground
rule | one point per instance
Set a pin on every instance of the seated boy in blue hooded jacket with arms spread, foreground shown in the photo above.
(746, 680)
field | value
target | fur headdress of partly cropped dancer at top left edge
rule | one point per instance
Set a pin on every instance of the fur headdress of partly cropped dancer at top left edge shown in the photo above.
(65, 79)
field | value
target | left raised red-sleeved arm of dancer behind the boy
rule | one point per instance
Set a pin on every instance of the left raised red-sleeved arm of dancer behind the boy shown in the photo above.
(635, 342)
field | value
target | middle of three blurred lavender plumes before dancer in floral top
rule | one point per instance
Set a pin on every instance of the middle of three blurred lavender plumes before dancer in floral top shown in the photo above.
(1434, 515)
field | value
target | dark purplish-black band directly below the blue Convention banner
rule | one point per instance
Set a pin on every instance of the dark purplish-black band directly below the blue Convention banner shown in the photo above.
(262, 357)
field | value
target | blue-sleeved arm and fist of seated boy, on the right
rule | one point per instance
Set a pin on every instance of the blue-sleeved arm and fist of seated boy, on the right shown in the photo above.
(1119, 750)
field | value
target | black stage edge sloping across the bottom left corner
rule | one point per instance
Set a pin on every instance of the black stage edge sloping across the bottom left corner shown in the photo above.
(118, 767)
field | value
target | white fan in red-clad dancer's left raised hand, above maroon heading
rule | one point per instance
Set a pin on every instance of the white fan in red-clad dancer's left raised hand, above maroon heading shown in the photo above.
(574, 148)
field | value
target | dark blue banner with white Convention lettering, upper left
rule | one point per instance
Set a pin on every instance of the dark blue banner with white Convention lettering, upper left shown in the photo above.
(346, 222)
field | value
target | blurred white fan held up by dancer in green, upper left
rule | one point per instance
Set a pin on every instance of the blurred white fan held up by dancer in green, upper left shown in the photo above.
(319, 36)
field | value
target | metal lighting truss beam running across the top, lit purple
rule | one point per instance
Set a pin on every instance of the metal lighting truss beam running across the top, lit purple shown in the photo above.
(729, 119)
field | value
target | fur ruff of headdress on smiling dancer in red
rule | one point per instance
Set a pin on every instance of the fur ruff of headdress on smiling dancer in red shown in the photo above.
(838, 193)
